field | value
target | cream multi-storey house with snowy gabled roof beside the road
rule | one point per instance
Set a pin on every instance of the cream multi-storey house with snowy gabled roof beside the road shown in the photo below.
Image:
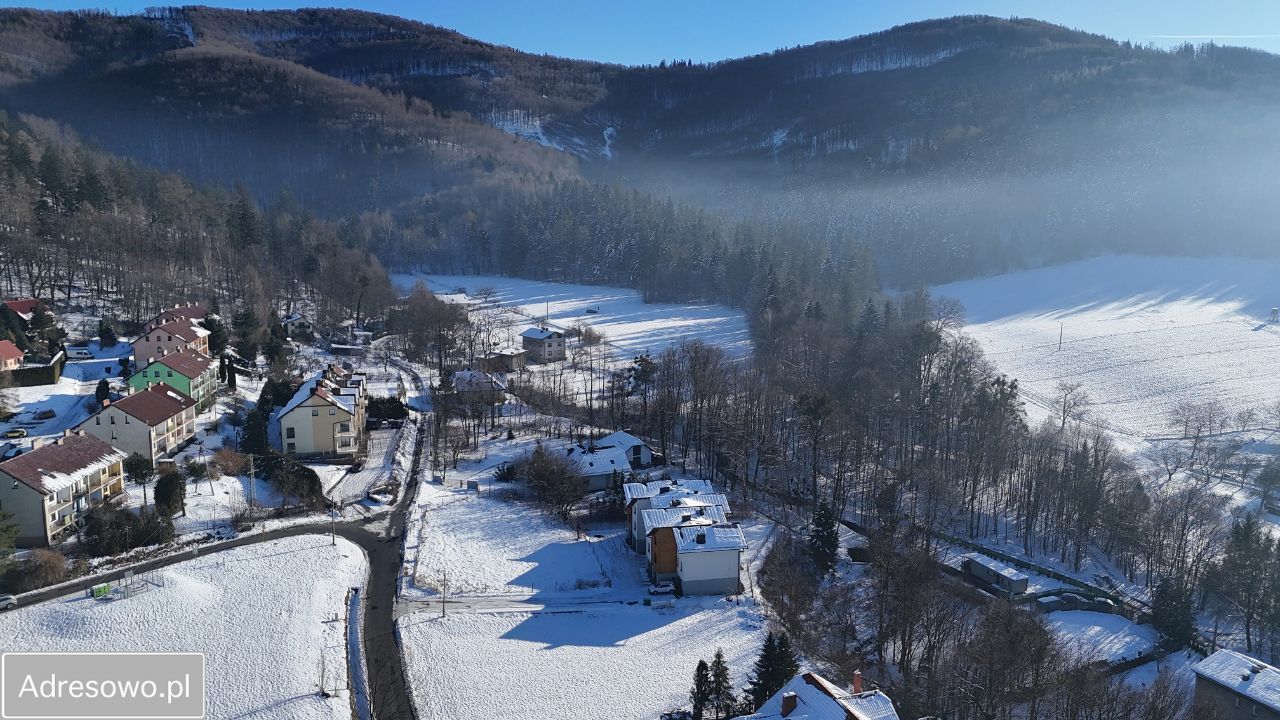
(326, 418)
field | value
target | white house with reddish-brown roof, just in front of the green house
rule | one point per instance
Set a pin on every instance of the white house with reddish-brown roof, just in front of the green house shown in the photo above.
(156, 422)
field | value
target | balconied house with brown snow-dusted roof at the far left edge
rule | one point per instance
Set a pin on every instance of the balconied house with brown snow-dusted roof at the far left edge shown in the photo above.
(51, 489)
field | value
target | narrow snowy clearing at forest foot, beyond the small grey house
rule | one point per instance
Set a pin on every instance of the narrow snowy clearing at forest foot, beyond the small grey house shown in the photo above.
(628, 322)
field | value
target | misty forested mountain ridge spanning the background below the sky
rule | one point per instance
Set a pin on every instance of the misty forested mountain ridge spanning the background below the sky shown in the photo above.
(950, 148)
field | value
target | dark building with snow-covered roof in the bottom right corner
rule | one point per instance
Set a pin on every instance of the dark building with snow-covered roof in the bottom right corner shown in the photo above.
(1232, 686)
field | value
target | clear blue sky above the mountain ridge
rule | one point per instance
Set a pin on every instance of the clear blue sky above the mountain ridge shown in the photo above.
(711, 30)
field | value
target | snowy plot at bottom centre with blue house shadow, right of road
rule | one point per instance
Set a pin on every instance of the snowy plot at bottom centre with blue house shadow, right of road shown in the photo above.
(625, 663)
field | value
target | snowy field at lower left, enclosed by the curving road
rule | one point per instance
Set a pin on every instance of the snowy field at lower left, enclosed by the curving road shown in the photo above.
(263, 616)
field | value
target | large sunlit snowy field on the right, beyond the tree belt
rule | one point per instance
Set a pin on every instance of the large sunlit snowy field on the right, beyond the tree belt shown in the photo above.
(1140, 334)
